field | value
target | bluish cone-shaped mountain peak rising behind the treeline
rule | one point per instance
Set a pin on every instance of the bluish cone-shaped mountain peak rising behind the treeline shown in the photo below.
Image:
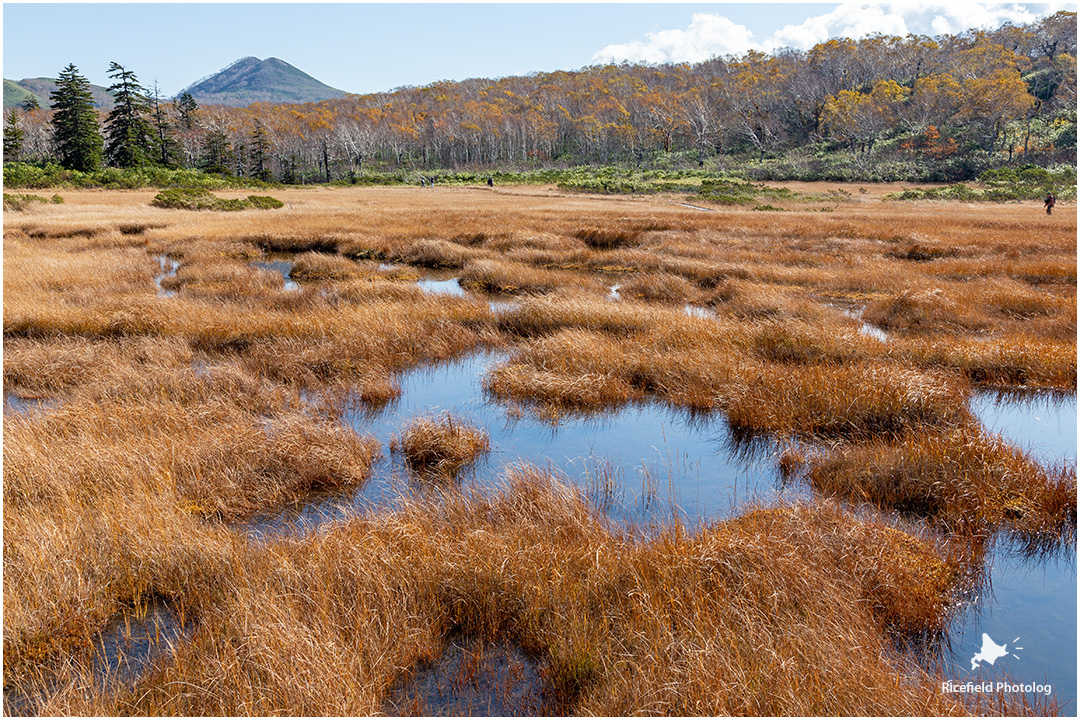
(251, 80)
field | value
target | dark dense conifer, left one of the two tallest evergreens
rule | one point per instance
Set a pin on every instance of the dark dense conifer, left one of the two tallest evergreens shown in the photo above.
(76, 132)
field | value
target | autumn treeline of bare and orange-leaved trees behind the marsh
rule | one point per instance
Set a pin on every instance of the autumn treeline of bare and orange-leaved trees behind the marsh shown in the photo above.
(943, 108)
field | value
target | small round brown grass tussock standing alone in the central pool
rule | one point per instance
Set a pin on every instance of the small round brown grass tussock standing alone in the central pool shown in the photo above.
(440, 446)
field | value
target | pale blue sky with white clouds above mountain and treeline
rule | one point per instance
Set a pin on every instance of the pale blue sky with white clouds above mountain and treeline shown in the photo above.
(364, 48)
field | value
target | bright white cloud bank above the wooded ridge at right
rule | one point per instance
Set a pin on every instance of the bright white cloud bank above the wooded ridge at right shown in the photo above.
(711, 35)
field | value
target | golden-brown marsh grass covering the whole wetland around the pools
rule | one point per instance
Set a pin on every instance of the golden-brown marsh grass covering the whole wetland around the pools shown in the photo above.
(196, 371)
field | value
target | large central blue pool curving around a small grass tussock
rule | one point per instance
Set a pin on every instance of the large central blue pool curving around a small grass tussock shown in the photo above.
(665, 461)
